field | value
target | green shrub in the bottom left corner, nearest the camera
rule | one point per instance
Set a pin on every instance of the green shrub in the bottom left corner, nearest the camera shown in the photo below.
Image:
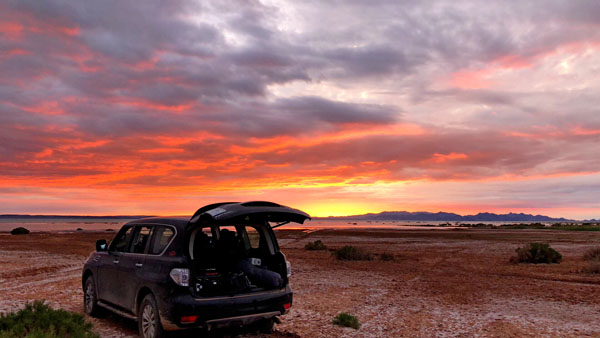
(38, 319)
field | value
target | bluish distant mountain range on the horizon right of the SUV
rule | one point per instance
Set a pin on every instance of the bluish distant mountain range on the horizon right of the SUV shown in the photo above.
(449, 217)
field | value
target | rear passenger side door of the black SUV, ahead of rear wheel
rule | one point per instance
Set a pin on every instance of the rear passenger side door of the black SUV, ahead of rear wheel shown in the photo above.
(131, 265)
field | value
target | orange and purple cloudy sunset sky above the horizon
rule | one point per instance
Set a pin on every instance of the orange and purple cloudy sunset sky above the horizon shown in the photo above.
(333, 107)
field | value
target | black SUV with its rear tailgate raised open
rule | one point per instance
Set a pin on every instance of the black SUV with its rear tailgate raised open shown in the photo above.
(221, 267)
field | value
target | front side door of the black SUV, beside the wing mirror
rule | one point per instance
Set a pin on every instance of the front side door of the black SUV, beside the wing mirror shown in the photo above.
(108, 267)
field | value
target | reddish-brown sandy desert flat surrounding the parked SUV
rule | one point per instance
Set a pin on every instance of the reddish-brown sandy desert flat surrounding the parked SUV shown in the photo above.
(442, 283)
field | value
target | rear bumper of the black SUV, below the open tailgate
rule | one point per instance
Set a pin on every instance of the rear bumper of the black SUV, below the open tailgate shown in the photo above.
(213, 312)
